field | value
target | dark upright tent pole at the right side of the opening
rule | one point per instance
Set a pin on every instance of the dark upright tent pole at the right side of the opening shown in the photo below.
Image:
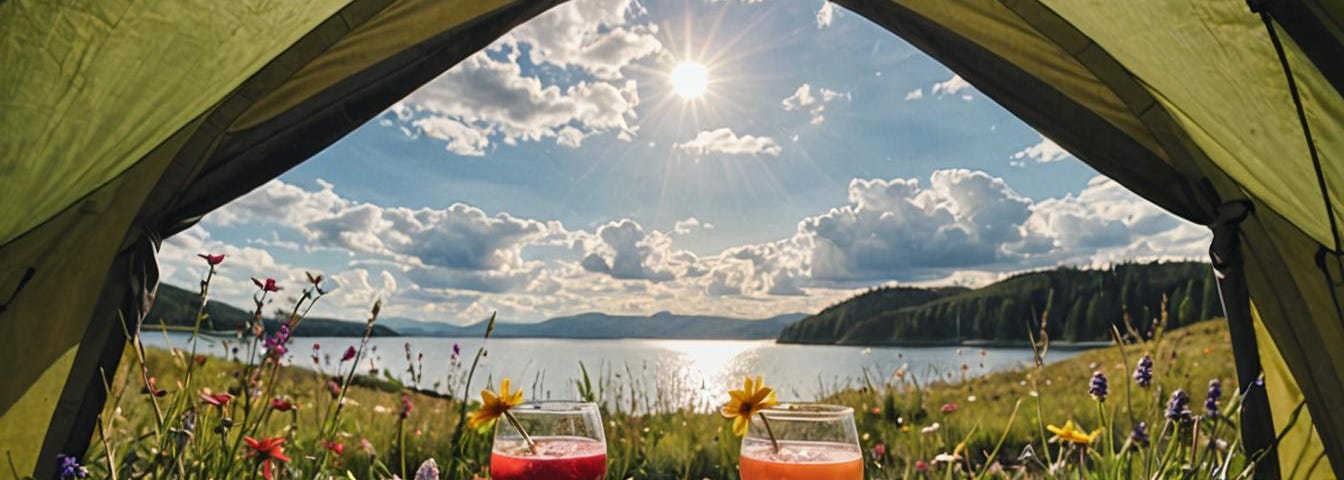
(1230, 272)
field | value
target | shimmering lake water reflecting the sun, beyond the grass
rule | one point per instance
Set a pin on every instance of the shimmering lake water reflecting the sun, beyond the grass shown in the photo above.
(647, 374)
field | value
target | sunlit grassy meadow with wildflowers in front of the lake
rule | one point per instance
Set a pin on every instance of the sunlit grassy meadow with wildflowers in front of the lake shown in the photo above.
(905, 423)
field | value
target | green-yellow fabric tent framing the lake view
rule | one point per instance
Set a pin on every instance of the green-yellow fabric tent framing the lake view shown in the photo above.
(127, 122)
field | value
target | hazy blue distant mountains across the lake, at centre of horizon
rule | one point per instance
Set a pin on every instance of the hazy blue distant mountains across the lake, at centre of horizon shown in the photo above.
(601, 326)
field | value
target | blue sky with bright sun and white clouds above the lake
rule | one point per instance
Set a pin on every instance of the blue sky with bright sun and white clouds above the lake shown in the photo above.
(734, 158)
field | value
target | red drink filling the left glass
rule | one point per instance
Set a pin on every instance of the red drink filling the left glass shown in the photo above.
(556, 459)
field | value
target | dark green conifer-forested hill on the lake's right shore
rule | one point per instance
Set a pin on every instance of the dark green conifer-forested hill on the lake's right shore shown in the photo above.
(1083, 307)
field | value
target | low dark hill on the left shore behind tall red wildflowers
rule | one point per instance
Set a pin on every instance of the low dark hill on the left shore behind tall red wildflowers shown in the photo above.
(177, 307)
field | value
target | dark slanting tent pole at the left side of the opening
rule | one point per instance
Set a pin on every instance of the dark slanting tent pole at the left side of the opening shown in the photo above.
(126, 298)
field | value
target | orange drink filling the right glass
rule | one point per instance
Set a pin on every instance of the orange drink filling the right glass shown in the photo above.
(799, 461)
